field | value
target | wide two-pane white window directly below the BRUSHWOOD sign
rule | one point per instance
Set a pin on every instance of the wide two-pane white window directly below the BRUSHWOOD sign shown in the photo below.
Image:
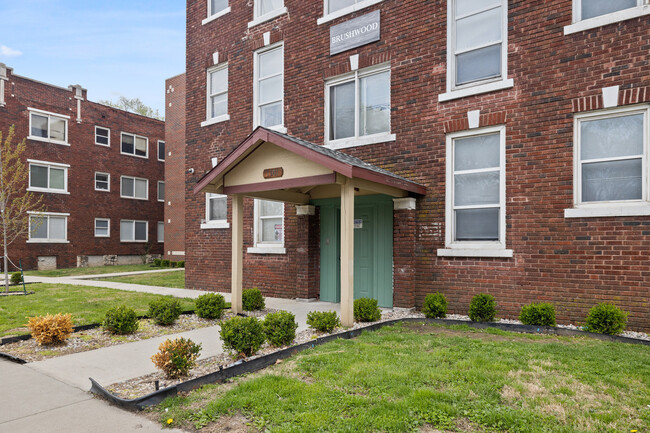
(358, 108)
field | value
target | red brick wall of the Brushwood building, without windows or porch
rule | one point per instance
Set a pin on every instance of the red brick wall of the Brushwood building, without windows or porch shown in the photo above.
(571, 262)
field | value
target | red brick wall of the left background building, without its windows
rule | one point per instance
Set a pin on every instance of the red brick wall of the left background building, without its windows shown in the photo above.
(84, 157)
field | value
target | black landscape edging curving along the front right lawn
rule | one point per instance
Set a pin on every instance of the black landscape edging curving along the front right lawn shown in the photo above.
(244, 367)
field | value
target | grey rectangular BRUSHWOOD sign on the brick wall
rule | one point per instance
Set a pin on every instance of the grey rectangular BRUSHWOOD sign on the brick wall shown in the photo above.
(354, 33)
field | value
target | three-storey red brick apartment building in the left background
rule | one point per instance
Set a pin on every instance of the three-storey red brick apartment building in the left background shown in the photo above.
(100, 171)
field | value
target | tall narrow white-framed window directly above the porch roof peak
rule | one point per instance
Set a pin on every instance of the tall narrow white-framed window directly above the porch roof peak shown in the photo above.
(269, 88)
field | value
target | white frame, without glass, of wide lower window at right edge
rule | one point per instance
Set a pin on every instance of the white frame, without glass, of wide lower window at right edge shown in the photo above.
(616, 207)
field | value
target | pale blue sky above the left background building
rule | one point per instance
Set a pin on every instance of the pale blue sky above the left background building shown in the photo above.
(111, 47)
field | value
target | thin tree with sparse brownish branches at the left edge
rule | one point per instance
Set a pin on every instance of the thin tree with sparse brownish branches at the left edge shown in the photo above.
(15, 200)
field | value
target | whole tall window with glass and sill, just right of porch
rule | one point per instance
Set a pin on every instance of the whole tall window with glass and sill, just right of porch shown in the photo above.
(475, 199)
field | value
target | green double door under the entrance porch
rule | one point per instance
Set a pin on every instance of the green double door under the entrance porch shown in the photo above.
(373, 249)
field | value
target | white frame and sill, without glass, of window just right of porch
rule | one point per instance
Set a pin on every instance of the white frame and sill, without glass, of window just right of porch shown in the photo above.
(475, 248)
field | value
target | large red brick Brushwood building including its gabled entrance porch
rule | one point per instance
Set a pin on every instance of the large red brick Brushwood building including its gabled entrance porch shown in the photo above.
(518, 130)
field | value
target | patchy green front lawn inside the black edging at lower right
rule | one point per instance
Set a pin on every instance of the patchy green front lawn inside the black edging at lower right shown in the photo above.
(415, 377)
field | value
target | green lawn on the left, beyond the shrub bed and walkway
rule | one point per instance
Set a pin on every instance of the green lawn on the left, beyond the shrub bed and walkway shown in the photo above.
(86, 304)
